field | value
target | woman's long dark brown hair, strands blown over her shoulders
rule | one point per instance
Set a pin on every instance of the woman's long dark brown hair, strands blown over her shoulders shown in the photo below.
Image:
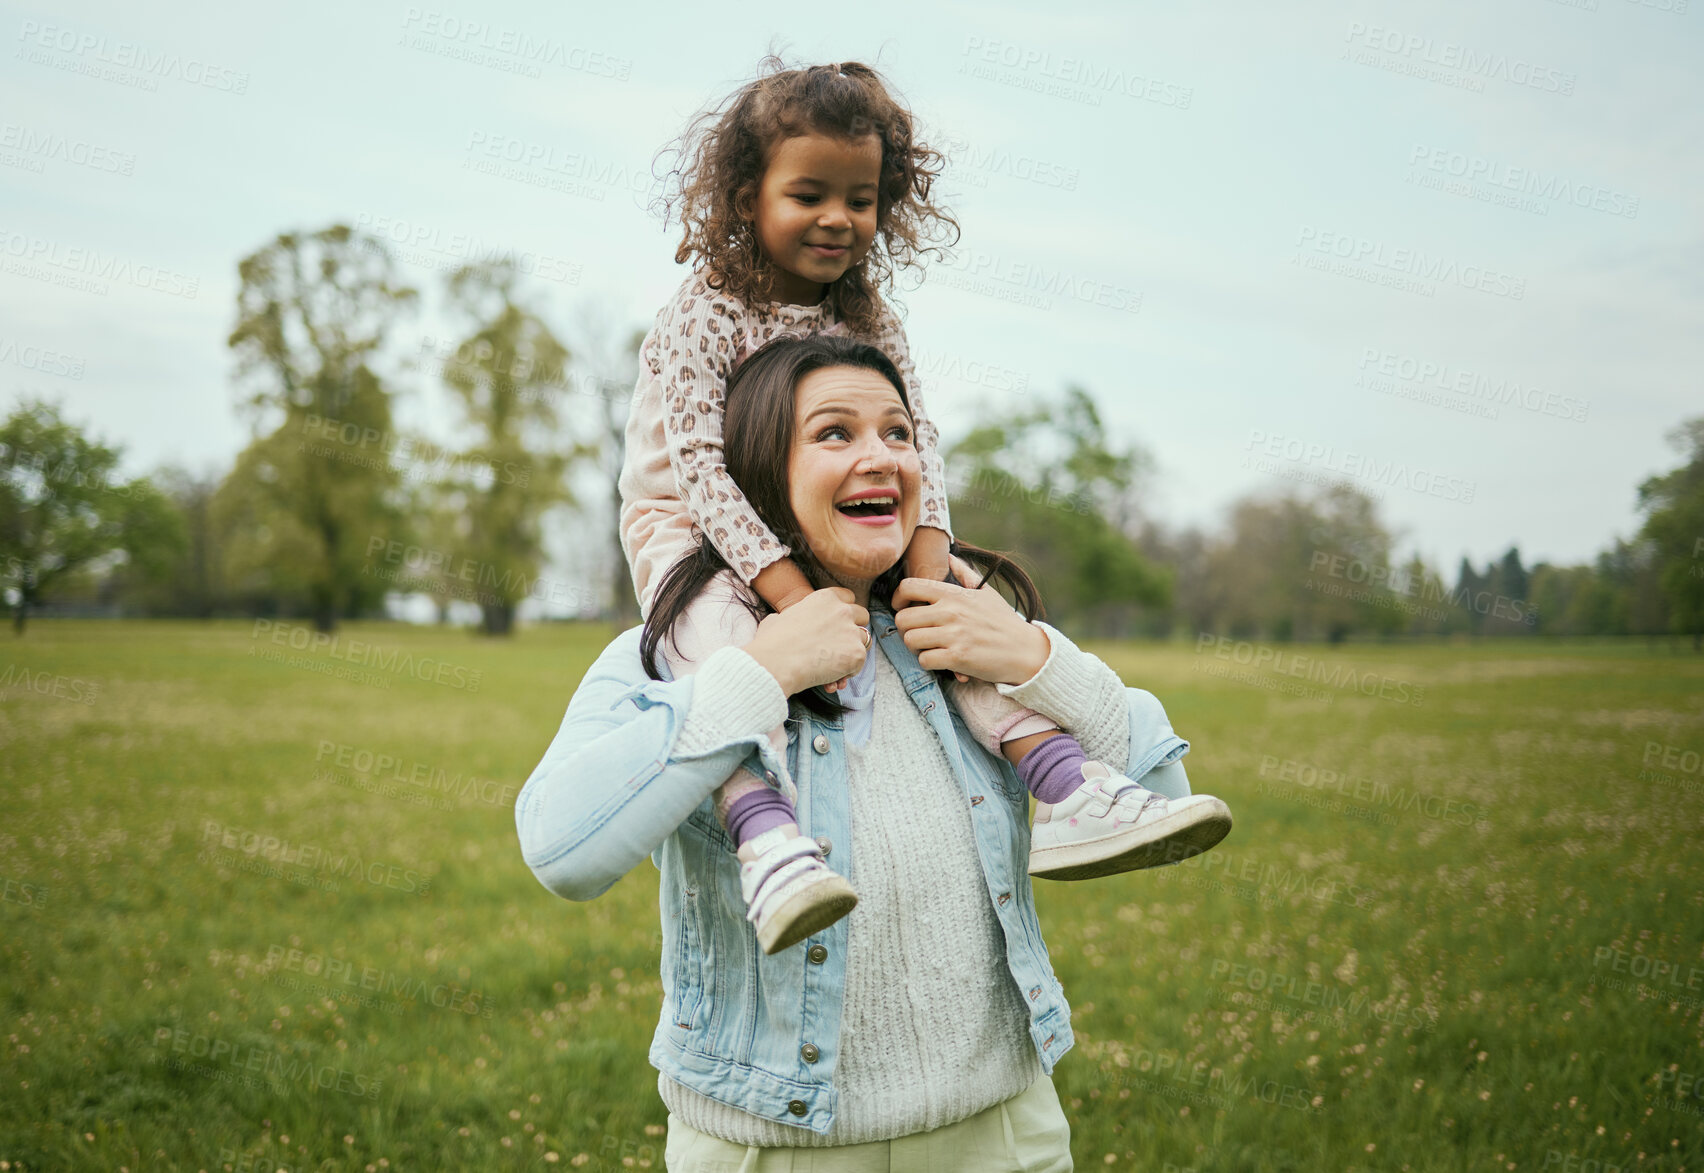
(757, 442)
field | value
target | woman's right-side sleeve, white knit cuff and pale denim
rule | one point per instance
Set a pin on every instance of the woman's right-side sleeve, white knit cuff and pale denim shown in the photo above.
(1127, 729)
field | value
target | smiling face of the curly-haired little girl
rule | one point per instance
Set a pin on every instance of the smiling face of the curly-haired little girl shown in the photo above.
(817, 211)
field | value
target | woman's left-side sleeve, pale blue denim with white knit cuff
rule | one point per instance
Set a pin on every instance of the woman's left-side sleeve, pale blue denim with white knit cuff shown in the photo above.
(633, 758)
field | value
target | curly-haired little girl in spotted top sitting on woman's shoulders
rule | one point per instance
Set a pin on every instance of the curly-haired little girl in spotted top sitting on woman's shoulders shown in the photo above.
(798, 200)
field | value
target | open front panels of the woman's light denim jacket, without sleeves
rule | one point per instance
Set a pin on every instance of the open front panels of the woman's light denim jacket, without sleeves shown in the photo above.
(739, 1024)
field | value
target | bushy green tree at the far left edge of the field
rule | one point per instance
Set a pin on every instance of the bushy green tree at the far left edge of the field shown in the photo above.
(60, 509)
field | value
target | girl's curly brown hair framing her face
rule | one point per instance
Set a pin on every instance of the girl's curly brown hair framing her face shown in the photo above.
(722, 168)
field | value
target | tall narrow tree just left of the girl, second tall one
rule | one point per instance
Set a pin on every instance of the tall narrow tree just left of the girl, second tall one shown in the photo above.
(517, 466)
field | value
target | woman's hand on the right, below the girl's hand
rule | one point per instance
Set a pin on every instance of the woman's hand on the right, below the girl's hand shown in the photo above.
(970, 632)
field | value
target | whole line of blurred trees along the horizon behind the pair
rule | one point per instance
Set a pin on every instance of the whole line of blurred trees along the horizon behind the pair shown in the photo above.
(331, 506)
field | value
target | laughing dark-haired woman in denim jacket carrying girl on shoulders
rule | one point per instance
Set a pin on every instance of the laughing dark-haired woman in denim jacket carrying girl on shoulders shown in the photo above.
(923, 1029)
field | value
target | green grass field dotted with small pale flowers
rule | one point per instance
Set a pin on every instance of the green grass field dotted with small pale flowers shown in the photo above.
(1459, 923)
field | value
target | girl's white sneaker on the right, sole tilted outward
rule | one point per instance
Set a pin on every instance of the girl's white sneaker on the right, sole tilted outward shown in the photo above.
(1114, 824)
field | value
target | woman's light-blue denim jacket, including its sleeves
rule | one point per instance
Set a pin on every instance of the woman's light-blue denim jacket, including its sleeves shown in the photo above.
(763, 1032)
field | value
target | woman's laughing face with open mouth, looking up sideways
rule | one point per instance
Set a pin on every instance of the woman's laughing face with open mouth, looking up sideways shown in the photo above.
(855, 473)
